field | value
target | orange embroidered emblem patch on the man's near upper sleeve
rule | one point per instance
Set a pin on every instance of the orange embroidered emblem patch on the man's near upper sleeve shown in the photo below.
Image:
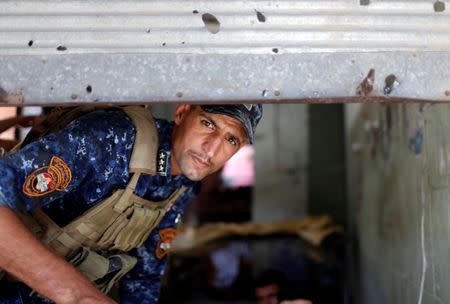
(54, 177)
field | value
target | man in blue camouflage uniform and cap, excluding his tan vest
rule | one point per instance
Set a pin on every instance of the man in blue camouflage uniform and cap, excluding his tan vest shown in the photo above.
(67, 172)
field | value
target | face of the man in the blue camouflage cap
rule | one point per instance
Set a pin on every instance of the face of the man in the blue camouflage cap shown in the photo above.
(202, 142)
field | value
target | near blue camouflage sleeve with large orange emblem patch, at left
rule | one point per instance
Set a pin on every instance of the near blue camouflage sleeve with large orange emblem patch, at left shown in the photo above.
(83, 156)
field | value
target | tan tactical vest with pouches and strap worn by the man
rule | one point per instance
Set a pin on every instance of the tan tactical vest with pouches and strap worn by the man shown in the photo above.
(96, 241)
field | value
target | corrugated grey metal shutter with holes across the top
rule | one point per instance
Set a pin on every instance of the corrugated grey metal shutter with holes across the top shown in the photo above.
(136, 51)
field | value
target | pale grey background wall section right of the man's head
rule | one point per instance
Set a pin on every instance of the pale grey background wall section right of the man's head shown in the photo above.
(281, 148)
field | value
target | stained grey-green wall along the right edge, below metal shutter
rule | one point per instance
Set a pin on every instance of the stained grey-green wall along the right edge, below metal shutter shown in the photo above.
(399, 202)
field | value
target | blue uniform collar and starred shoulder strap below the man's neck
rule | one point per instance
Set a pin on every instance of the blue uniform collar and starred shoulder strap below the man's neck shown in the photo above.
(165, 129)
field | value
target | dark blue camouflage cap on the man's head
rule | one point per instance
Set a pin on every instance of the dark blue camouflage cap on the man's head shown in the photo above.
(248, 114)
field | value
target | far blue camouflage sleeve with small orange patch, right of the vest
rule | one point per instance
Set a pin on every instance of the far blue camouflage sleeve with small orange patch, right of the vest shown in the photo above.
(142, 285)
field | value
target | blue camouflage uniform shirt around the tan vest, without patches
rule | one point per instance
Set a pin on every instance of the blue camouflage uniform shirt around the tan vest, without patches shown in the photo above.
(96, 148)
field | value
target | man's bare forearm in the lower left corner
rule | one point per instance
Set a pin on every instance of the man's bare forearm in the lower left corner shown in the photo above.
(27, 259)
